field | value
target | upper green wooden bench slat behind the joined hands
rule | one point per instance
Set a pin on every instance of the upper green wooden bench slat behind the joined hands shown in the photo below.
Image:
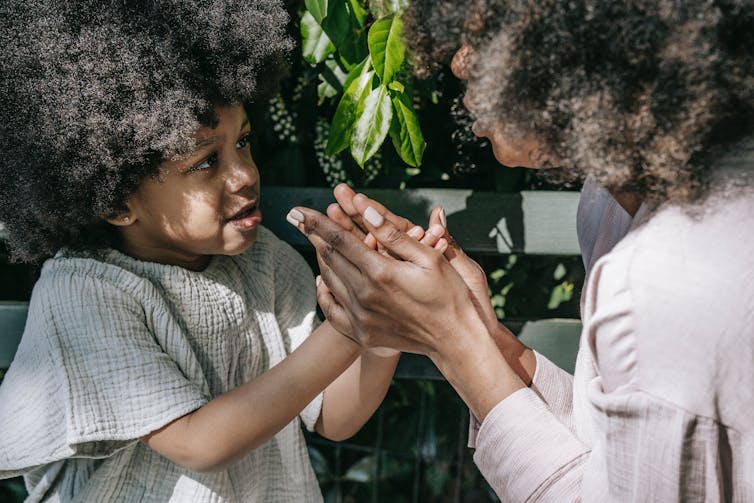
(534, 222)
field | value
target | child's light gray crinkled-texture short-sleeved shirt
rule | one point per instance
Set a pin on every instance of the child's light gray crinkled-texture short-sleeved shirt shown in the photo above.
(114, 349)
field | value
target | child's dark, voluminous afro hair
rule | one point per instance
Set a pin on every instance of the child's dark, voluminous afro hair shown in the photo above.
(95, 93)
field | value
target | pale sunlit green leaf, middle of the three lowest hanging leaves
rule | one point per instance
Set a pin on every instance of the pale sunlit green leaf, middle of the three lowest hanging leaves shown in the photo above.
(372, 124)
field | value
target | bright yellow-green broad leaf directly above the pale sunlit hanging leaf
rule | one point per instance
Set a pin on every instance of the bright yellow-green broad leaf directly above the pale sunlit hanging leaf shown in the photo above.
(386, 47)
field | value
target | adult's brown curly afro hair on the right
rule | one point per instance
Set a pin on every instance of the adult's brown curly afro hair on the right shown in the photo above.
(643, 95)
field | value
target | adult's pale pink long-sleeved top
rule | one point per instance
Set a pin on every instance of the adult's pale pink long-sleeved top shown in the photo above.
(661, 406)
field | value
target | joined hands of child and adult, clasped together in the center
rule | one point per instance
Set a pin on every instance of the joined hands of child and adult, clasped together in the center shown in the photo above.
(385, 282)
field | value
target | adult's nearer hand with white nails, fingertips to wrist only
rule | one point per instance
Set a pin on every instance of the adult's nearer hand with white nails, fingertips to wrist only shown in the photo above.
(411, 304)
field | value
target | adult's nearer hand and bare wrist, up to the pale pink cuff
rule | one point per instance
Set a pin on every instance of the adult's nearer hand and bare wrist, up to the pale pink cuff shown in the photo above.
(416, 304)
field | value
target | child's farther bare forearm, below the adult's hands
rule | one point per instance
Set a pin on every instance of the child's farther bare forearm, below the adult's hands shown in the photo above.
(354, 396)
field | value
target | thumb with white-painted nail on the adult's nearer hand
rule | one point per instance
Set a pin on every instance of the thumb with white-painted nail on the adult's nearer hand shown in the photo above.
(393, 239)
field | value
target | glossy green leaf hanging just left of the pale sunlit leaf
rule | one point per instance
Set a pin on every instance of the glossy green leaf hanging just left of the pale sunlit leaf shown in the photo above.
(357, 87)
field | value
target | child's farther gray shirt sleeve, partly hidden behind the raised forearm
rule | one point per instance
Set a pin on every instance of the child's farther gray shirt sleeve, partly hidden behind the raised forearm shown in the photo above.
(296, 311)
